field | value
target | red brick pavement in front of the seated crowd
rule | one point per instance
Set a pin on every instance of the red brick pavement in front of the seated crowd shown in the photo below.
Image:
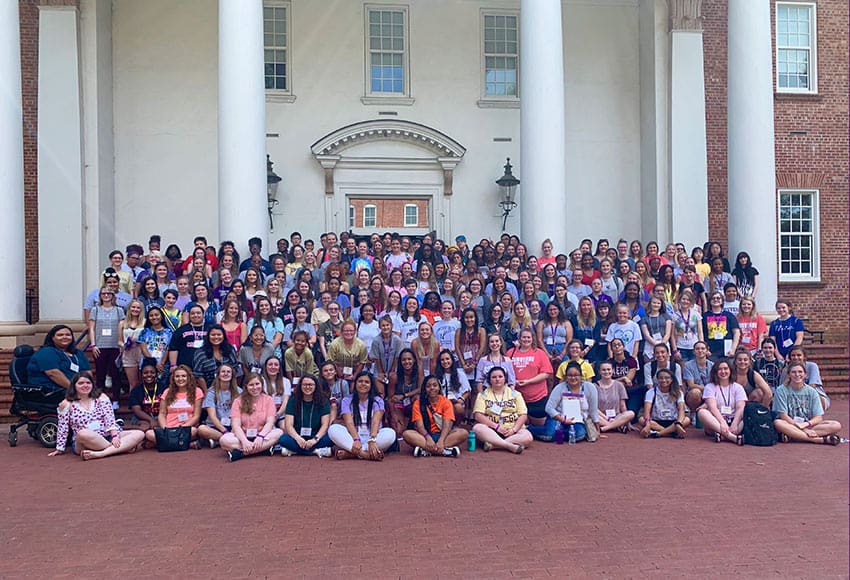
(622, 507)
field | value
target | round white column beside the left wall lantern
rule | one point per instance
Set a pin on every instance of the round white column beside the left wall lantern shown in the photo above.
(242, 198)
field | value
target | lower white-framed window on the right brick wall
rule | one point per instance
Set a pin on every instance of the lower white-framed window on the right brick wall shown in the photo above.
(799, 224)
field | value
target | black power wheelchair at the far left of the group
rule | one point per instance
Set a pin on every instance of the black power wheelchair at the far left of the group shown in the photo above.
(34, 405)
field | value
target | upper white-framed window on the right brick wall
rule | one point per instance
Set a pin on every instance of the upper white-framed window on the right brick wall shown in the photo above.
(796, 55)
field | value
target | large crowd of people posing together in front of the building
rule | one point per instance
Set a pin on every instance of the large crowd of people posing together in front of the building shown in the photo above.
(352, 345)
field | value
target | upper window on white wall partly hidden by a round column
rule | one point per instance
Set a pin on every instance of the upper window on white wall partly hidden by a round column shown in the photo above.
(276, 18)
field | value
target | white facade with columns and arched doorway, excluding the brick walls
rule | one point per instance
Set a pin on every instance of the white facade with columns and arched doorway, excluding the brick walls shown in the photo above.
(155, 117)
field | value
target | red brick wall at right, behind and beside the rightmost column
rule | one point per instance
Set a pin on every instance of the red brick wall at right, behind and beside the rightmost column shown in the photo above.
(818, 159)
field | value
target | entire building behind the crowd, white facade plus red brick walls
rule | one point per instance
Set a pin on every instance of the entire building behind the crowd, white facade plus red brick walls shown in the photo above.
(638, 122)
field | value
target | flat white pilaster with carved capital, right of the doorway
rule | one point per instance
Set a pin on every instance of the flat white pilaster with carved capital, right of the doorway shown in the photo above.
(688, 156)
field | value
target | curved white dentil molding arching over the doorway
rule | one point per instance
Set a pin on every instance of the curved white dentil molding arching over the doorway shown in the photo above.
(439, 143)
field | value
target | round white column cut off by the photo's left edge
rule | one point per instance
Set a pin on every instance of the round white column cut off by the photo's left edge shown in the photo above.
(12, 262)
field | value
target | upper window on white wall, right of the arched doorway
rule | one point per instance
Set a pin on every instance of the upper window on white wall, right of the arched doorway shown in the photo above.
(501, 55)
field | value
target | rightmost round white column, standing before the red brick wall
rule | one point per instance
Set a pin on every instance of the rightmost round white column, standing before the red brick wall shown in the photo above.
(752, 164)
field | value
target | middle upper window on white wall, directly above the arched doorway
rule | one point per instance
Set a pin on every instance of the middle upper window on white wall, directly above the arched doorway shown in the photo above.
(387, 52)
